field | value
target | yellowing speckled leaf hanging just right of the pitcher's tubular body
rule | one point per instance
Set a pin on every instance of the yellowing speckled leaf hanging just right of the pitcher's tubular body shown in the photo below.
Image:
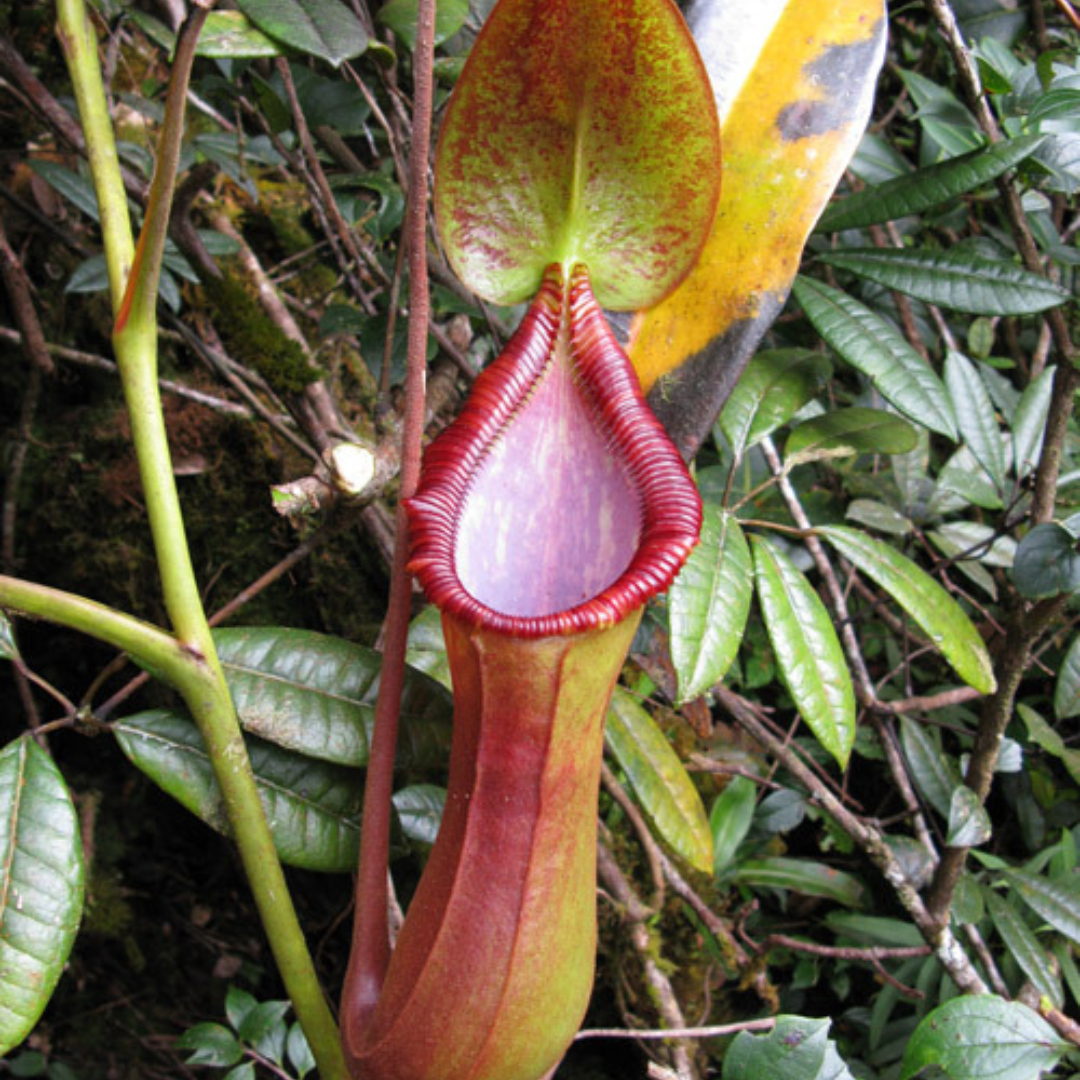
(659, 780)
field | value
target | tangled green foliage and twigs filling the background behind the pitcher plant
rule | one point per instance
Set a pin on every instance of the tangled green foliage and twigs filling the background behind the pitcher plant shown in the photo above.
(844, 768)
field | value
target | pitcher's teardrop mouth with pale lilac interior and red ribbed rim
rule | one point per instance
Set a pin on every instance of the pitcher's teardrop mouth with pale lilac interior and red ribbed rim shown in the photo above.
(556, 503)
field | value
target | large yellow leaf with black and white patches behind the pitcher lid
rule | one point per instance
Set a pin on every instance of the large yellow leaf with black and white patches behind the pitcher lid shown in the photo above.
(794, 82)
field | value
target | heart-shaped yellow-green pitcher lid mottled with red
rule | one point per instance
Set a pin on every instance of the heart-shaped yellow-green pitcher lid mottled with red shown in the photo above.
(580, 131)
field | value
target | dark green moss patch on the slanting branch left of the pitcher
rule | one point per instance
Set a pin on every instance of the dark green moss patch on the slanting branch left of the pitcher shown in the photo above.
(255, 343)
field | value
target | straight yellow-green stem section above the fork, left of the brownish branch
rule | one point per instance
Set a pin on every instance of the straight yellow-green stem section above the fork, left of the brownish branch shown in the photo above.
(80, 50)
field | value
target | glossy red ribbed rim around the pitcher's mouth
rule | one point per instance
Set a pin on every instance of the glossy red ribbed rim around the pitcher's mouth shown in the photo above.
(668, 511)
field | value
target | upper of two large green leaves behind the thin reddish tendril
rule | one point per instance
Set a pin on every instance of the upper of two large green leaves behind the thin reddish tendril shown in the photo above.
(316, 695)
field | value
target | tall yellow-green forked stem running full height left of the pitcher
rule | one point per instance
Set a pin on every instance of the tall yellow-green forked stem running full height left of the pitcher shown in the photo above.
(199, 678)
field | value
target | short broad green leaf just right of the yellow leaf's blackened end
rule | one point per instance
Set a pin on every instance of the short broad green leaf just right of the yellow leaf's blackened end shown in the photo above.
(776, 385)
